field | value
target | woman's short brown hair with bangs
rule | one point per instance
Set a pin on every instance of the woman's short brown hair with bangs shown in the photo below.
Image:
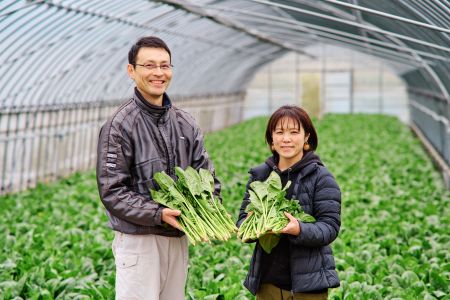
(300, 116)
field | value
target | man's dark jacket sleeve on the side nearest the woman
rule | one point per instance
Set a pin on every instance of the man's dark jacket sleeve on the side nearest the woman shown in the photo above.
(201, 158)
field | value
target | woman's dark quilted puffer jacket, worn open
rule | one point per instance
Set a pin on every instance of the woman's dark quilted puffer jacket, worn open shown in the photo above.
(311, 259)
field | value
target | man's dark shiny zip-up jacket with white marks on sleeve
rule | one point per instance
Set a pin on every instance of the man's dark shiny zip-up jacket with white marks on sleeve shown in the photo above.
(137, 141)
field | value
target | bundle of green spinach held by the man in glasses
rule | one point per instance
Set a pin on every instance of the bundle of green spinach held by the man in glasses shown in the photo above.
(203, 216)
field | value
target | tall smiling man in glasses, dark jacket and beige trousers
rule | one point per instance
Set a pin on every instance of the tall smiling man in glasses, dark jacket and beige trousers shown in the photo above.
(144, 136)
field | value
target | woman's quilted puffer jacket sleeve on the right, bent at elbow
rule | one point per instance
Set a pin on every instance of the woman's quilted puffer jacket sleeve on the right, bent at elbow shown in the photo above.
(326, 210)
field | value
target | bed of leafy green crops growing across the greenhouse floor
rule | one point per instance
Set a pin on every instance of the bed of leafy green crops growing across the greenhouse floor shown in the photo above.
(393, 243)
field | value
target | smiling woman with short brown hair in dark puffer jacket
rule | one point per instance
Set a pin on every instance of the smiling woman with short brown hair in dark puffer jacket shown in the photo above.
(301, 266)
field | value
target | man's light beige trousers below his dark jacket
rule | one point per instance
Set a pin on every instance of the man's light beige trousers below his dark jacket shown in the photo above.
(150, 267)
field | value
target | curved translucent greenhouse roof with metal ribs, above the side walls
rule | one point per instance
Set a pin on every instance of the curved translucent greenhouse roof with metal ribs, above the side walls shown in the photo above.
(55, 52)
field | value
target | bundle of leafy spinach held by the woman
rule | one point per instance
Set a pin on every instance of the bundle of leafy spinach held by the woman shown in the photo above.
(266, 209)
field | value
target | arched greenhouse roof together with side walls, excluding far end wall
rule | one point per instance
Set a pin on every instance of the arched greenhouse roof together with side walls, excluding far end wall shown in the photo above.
(63, 66)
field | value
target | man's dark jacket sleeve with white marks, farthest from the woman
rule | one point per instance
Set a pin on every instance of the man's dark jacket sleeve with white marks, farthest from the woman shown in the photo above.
(114, 161)
